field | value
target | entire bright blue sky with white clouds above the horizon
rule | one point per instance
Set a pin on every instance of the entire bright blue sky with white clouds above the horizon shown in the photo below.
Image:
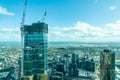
(68, 20)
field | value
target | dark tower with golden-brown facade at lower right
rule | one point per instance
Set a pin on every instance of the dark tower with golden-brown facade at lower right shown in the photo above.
(107, 65)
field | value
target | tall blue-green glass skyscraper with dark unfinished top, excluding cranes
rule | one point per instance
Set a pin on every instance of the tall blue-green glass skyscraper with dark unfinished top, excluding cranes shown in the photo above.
(35, 49)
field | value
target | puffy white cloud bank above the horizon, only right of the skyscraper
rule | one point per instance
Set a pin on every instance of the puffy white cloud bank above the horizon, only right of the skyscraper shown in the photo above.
(82, 31)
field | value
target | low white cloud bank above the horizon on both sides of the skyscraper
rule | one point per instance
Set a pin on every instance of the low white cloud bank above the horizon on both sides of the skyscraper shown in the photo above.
(80, 31)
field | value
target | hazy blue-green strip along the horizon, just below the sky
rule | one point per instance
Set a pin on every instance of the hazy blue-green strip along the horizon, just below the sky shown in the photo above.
(63, 44)
